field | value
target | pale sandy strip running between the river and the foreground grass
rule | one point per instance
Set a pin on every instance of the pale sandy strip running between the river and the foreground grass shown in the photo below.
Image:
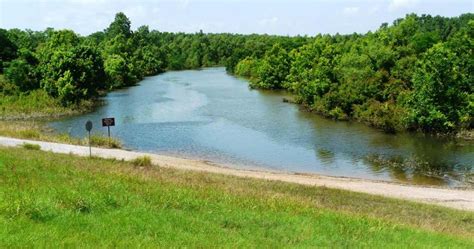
(454, 198)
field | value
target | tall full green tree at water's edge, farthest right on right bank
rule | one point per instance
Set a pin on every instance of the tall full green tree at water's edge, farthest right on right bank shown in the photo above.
(441, 91)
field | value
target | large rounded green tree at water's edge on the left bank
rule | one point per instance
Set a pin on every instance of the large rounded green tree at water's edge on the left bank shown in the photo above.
(69, 70)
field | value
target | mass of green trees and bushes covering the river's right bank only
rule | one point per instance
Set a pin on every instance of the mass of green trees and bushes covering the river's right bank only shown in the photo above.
(415, 74)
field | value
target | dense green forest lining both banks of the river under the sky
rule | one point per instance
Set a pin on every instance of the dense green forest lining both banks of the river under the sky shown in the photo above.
(415, 74)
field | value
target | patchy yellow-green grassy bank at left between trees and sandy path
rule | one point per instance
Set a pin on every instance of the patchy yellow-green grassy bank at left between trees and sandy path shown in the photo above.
(22, 115)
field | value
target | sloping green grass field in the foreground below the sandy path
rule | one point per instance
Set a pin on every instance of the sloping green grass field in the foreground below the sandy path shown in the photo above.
(51, 200)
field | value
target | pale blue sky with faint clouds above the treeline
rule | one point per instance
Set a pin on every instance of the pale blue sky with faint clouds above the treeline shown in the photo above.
(282, 17)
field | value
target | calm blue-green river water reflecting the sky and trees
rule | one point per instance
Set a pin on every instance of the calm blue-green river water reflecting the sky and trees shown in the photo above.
(210, 115)
